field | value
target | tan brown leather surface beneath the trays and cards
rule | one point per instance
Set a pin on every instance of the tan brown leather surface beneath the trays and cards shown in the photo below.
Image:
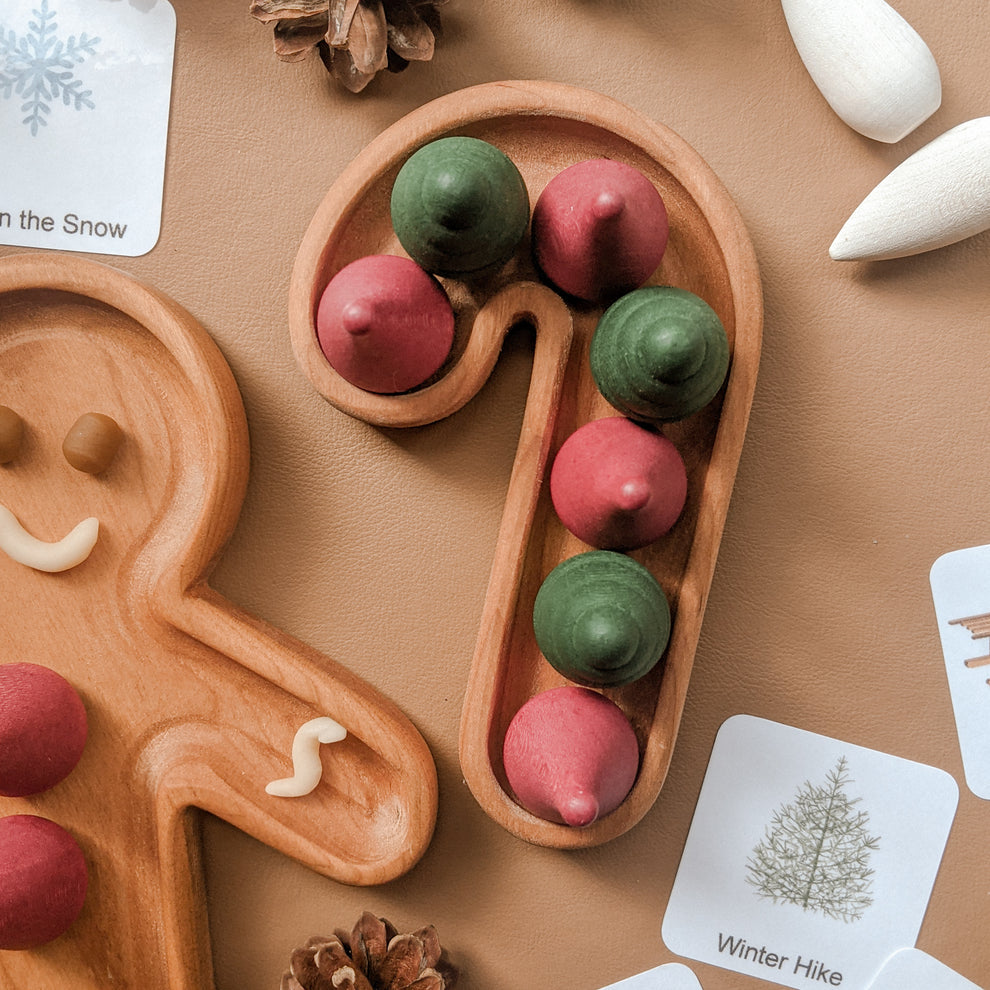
(865, 461)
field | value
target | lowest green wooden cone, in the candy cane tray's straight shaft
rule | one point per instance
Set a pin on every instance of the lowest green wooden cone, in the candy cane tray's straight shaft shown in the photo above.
(601, 619)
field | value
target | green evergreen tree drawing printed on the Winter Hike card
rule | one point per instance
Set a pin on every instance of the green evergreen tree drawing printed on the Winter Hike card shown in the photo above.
(815, 853)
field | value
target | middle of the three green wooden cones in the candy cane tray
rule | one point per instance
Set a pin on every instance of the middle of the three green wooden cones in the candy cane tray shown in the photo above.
(659, 354)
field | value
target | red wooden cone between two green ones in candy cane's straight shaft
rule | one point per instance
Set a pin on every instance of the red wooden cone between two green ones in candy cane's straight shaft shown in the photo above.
(618, 485)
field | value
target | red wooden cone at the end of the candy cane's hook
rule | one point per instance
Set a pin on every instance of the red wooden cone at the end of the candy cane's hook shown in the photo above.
(384, 324)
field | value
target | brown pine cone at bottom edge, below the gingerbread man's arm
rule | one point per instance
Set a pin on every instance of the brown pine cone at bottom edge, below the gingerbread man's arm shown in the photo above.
(374, 956)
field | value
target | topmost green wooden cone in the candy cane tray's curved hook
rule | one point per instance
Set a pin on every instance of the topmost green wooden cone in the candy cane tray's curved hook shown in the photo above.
(459, 205)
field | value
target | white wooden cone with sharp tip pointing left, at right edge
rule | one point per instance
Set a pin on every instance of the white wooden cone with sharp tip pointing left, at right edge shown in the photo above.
(938, 196)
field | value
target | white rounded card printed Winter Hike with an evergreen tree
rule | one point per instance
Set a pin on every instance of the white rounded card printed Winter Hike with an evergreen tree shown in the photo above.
(809, 860)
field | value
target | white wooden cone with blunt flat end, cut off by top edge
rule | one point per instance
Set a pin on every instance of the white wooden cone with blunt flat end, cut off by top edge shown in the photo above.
(871, 66)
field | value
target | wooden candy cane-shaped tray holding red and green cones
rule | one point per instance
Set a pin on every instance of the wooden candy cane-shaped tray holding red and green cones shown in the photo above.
(544, 128)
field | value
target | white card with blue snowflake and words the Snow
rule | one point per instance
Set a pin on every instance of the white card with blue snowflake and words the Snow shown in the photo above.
(85, 88)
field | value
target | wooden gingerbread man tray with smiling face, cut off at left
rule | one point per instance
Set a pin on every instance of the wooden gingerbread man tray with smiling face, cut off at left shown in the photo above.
(190, 703)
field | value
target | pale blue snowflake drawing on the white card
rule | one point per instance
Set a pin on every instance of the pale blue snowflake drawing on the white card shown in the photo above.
(40, 67)
